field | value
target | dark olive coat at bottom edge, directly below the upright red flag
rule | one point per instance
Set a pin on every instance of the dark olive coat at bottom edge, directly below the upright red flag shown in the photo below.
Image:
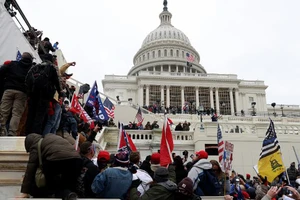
(158, 191)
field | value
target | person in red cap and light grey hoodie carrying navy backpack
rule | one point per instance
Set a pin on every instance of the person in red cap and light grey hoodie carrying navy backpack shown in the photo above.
(201, 163)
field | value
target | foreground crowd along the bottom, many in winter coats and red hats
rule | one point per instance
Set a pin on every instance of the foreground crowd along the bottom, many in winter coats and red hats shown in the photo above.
(87, 173)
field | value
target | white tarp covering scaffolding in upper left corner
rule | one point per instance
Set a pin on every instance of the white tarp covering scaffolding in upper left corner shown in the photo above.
(11, 38)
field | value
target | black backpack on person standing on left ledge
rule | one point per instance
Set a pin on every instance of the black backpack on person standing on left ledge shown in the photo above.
(38, 78)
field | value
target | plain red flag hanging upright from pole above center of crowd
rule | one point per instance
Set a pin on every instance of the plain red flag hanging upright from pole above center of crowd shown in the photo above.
(166, 145)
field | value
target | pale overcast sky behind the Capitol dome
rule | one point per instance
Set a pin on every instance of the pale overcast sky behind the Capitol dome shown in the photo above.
(255, 39)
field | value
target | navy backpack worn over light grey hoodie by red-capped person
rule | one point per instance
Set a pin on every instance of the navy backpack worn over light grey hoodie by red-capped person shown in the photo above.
(209, 184)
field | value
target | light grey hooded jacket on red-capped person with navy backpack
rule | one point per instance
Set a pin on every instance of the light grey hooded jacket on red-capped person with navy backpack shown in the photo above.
(197, 169)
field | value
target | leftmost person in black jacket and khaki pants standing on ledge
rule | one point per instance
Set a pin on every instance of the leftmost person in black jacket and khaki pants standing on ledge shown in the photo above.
(14, 97)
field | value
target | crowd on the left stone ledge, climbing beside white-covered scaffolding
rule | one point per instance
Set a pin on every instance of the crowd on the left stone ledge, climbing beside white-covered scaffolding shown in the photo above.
(35, 98)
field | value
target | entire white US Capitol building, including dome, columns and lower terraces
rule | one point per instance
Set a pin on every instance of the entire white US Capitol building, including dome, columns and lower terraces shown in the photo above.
(160, 75)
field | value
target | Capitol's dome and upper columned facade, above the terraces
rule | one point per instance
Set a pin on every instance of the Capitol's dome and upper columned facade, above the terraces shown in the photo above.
(161, 75)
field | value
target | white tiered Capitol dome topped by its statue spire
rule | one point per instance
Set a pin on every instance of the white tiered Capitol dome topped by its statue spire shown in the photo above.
(166, 49)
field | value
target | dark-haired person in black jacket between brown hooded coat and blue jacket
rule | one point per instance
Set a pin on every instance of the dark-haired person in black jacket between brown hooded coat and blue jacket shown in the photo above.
(87, 152)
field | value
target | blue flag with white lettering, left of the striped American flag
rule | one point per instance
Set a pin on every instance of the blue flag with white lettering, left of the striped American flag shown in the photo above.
(94, 101)
